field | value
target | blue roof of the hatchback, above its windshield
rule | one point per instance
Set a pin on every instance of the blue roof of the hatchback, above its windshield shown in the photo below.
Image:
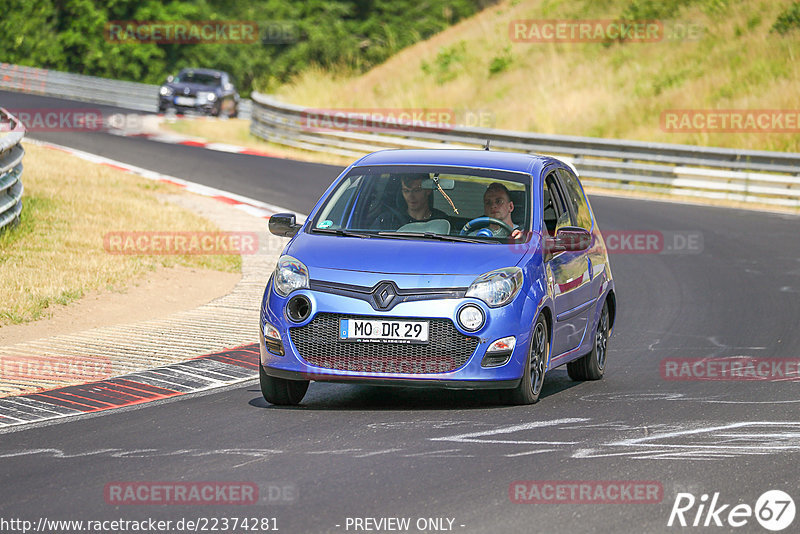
(483, 159)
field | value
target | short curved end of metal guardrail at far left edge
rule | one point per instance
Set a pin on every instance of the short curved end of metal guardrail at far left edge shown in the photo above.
(11, 152)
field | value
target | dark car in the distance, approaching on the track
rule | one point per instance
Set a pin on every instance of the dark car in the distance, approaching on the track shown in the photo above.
(207, 91)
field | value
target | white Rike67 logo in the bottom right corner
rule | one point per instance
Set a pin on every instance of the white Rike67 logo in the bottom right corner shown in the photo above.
(774, 510)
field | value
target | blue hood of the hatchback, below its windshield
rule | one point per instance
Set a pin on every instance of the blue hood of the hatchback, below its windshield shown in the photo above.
(400, 256)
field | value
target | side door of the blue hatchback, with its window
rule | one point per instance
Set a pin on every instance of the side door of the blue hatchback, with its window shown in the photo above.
(568, 273)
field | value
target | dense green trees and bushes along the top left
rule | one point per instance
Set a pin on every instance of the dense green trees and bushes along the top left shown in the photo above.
(335, 34)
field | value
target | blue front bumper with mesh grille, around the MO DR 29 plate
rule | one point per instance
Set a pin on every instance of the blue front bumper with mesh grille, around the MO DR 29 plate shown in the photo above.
(454, 358)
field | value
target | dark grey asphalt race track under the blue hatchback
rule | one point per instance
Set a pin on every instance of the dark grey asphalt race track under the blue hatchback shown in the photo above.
(370, 452)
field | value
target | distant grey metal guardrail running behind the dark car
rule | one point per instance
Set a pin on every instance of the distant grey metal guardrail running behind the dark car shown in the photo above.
(128, 95)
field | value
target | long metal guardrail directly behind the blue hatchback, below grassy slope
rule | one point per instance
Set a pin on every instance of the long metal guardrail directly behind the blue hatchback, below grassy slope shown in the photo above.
(714, 173)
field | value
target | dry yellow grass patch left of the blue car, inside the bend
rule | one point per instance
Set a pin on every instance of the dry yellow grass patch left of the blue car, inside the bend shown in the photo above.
(56, 254)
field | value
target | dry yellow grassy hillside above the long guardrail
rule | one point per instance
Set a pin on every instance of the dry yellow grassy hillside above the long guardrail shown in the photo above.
(615, 91)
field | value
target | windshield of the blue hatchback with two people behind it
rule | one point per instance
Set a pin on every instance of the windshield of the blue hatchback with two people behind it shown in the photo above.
(425, 202)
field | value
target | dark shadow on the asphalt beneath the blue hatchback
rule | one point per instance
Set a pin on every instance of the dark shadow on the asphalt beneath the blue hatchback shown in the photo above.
(323, 396)
